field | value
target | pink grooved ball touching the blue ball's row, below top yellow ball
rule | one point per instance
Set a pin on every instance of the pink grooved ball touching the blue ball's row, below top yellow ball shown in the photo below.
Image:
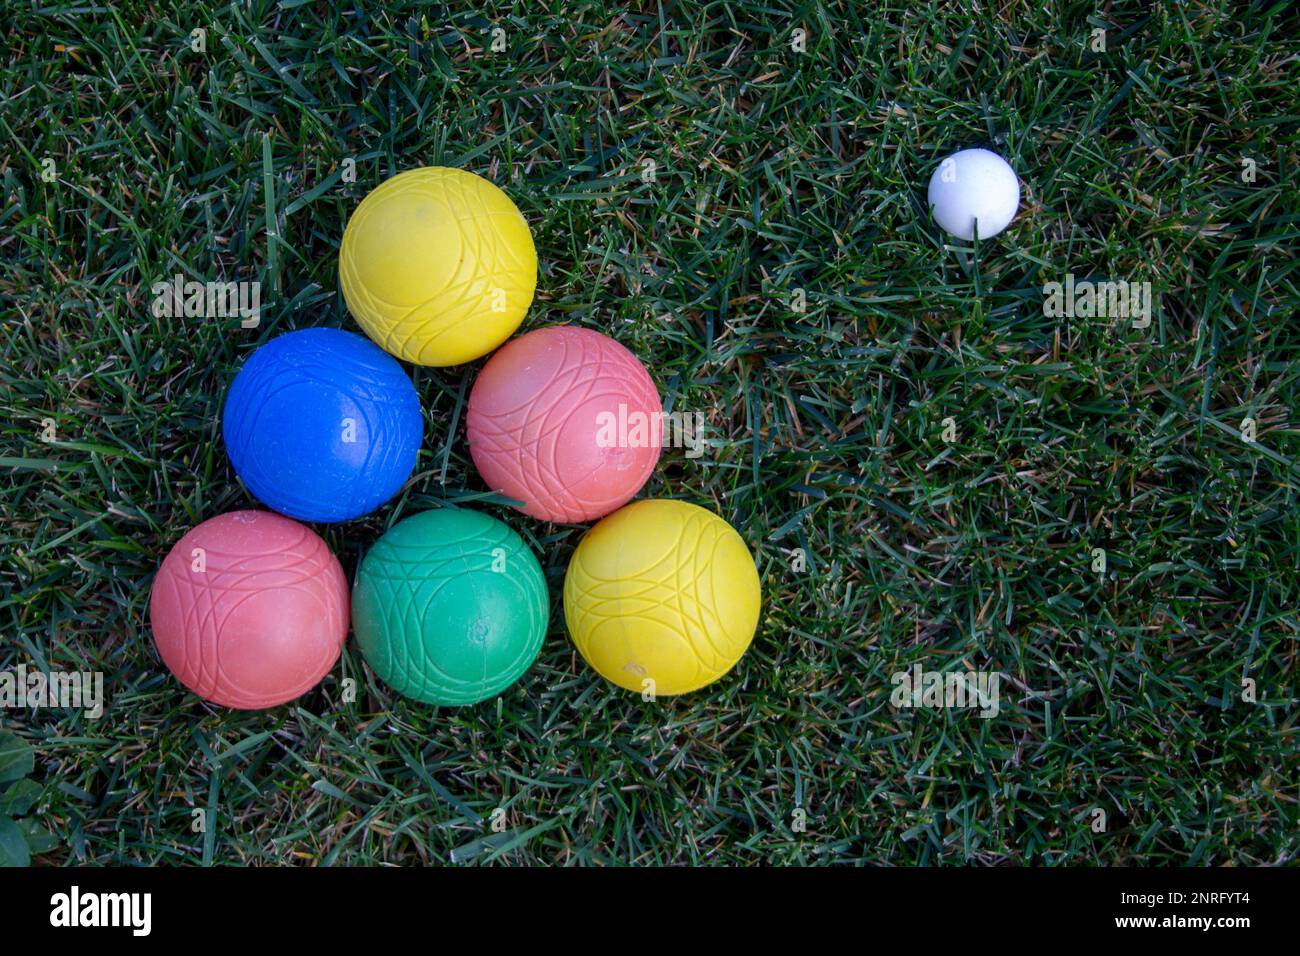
(566, 421)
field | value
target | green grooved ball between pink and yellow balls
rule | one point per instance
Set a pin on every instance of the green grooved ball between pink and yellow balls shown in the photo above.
(450, 608)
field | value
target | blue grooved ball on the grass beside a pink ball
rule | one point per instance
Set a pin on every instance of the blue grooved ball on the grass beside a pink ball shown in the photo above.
(323, 426)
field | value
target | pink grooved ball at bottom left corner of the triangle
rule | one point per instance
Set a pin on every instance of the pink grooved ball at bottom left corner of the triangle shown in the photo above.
(250, 611)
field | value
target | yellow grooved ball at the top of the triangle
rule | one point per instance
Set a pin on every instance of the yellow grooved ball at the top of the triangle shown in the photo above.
(437, 266)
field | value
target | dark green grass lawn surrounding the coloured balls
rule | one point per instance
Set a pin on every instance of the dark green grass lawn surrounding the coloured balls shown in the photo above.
(775, 172)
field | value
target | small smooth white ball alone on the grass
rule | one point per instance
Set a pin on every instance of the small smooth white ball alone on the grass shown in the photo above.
(974, 185)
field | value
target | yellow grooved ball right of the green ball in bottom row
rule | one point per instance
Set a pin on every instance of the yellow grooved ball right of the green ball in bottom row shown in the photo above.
(662, 591)
